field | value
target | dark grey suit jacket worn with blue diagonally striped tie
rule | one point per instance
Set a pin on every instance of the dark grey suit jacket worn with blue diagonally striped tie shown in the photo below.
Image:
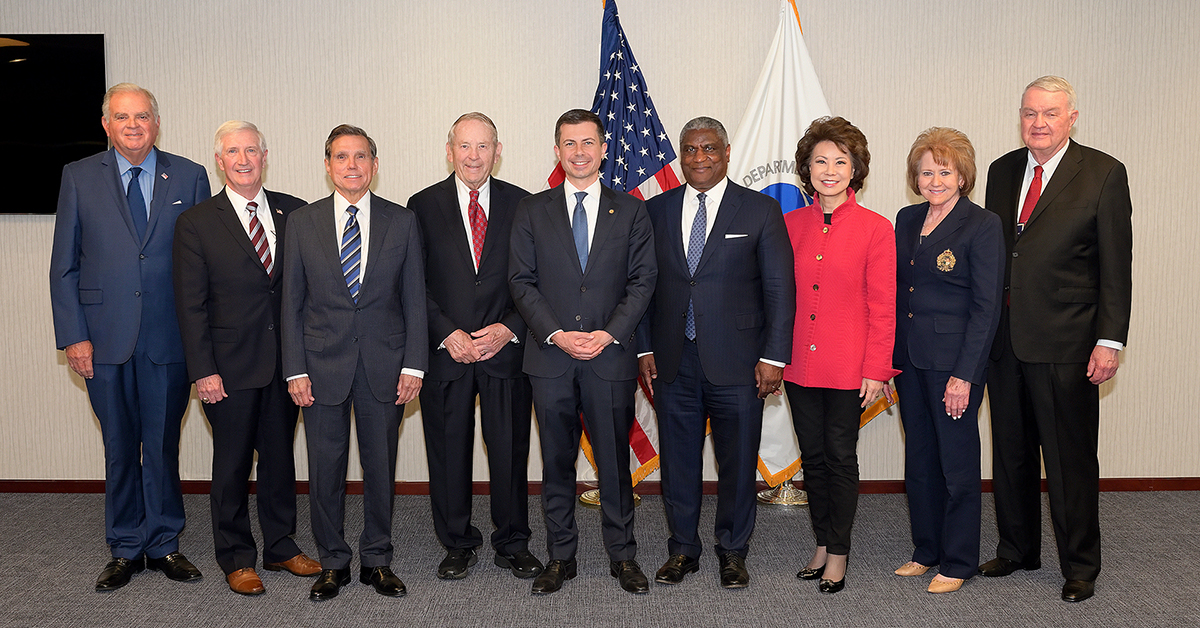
(325, 331)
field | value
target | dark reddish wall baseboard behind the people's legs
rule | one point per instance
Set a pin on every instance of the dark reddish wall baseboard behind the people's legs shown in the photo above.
(646, 488)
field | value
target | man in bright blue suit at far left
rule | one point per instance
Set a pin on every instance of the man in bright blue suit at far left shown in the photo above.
(115, 316)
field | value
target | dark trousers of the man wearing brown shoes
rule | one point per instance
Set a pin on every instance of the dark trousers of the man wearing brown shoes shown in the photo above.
(262, 420)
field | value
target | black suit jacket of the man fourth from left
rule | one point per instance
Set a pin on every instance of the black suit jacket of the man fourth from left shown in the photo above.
(459, 297)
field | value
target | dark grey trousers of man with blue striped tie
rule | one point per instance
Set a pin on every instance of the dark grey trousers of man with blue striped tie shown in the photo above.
(328, 432)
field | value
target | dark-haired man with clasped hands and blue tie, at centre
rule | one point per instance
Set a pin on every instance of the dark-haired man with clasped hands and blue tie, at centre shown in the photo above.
(583, 272)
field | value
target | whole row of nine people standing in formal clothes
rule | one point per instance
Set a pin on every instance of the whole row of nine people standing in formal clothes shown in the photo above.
(556, 303)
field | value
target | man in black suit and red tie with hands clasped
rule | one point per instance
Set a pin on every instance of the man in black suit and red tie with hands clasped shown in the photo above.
(476, 350)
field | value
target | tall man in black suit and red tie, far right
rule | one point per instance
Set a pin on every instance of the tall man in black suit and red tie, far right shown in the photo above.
(1066, 212)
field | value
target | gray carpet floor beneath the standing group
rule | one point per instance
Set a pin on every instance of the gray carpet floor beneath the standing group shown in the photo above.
(52, 547)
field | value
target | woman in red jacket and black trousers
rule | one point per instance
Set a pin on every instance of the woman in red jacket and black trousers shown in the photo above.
(845, 324)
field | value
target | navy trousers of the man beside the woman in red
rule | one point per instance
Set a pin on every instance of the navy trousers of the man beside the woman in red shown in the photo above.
(736, 415)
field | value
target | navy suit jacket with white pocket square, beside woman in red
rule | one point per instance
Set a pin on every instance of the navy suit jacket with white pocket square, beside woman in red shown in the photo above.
(743, 294)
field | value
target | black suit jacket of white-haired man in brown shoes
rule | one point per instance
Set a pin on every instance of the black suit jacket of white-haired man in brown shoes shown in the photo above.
(229, 307)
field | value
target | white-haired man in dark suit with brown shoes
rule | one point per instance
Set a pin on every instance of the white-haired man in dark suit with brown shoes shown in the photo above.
(229, 286)
